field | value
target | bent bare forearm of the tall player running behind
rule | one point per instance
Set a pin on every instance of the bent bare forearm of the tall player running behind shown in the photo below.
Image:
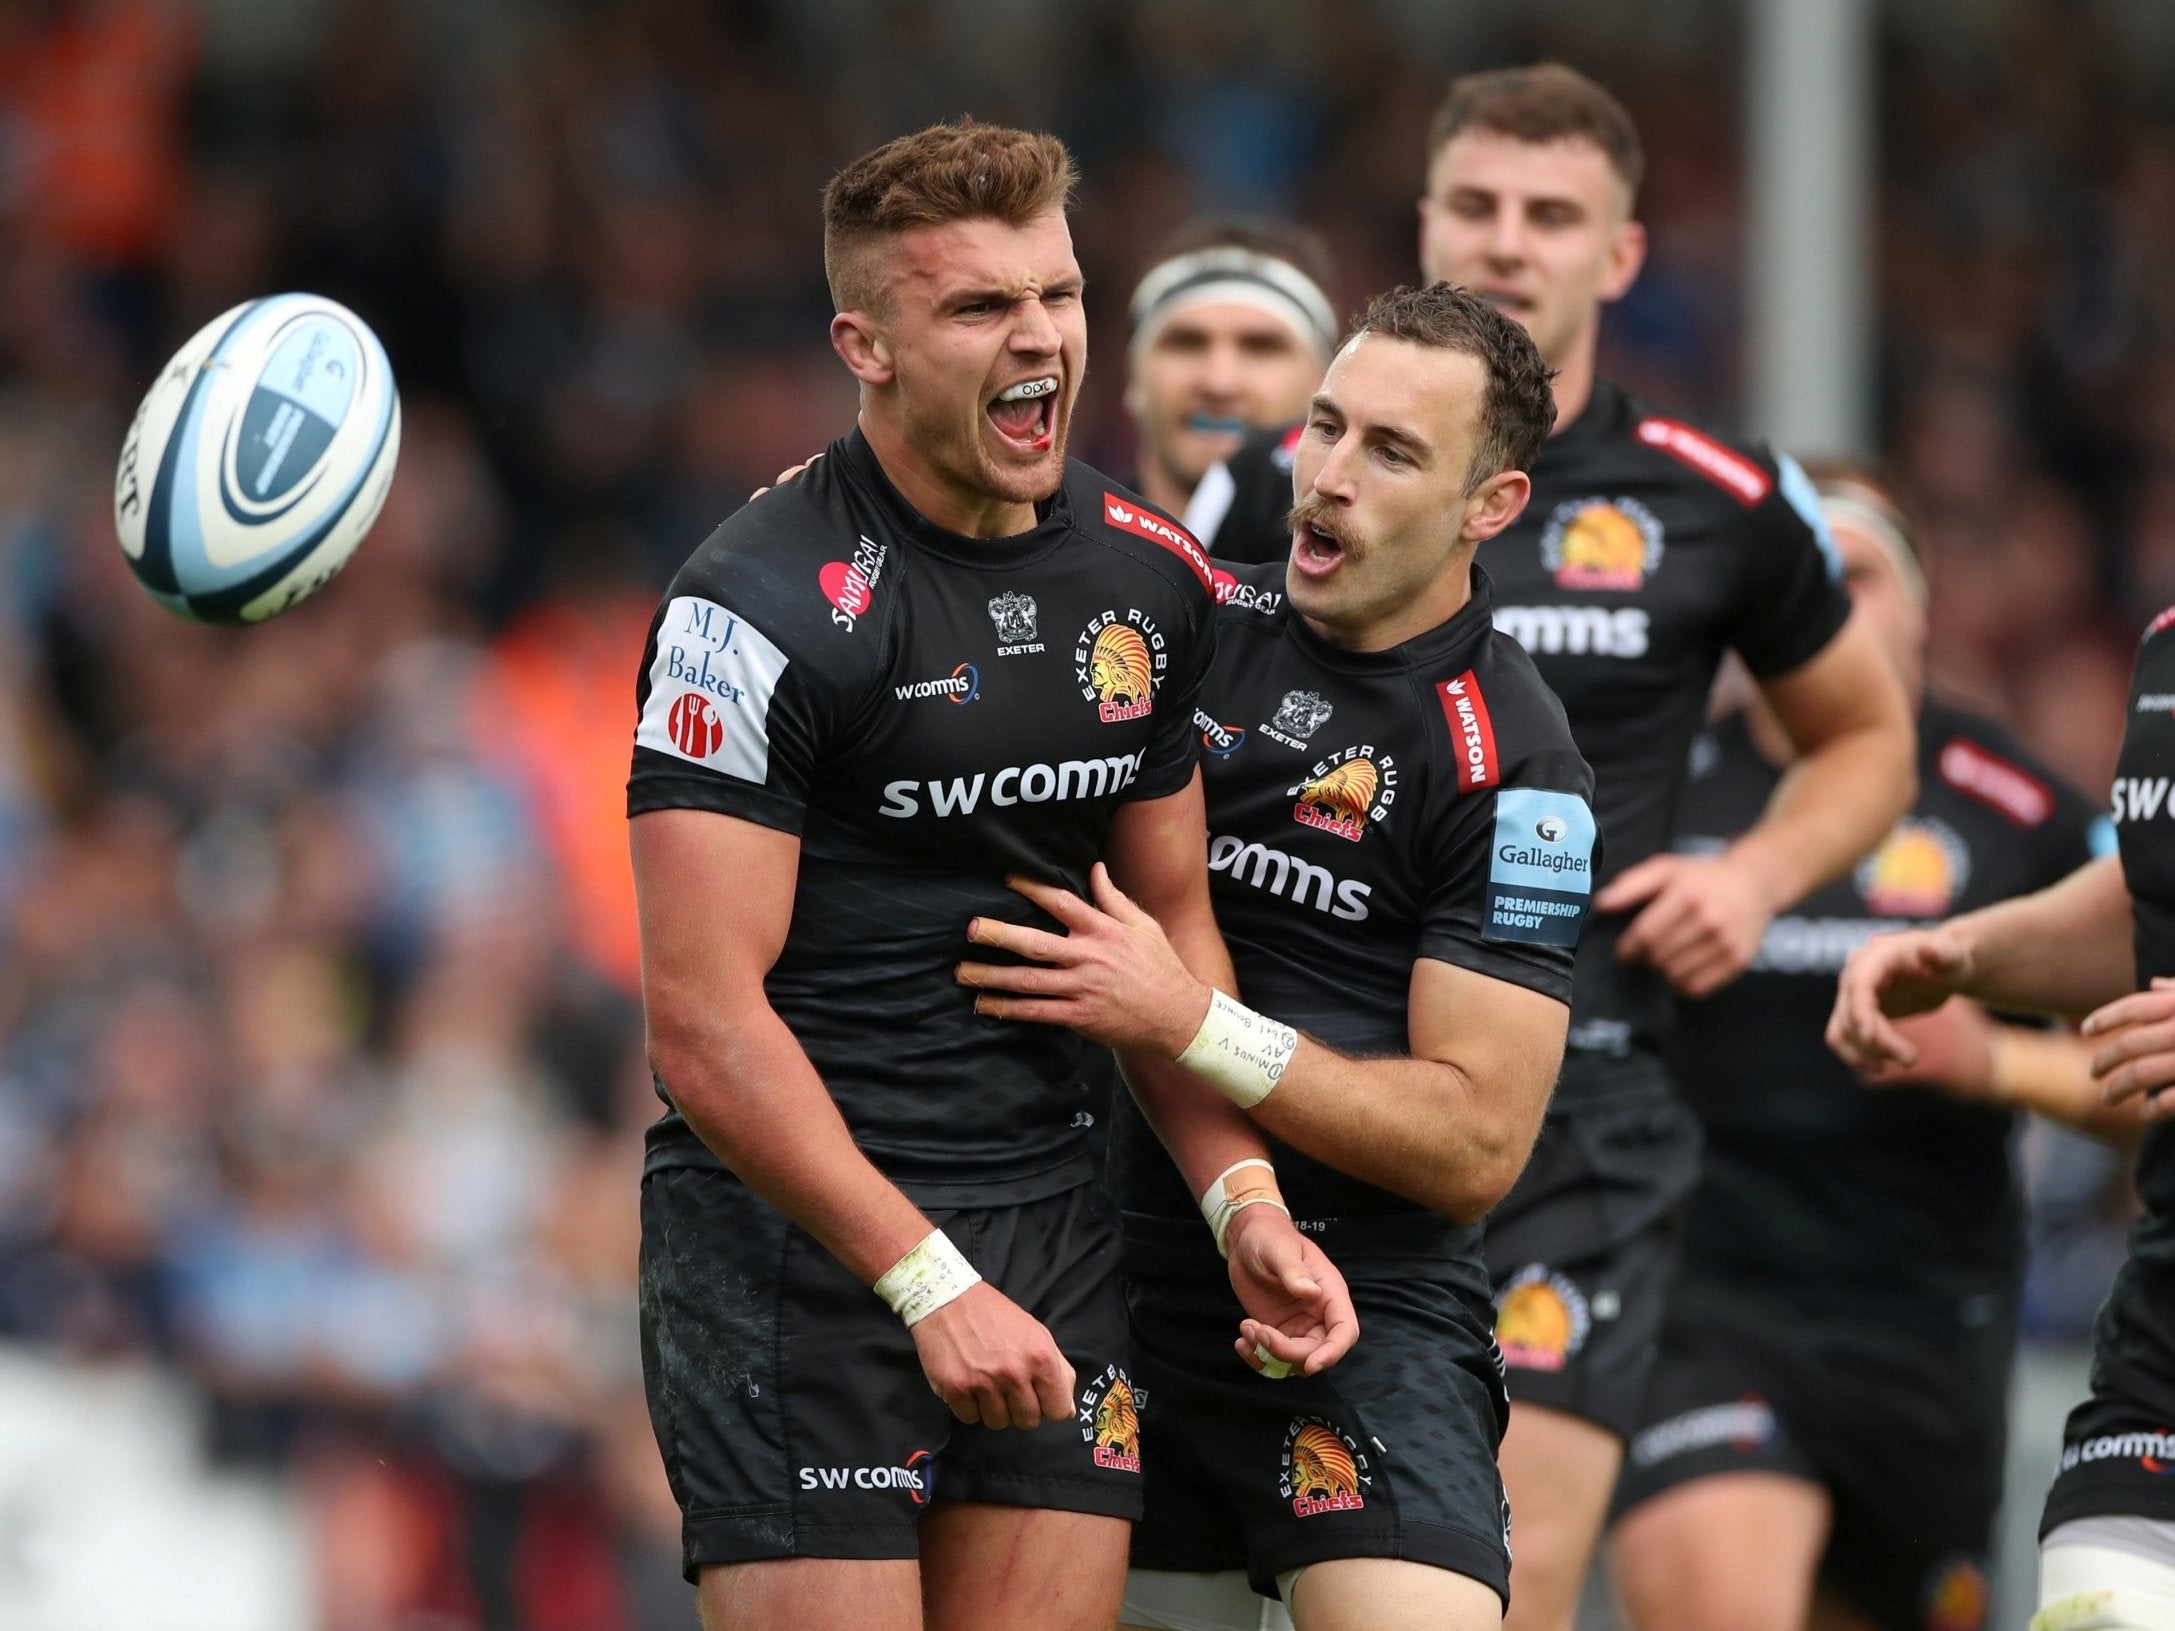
(1830, 810)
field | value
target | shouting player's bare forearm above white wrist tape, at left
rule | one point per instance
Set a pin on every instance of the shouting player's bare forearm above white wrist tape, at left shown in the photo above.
(758, 1104)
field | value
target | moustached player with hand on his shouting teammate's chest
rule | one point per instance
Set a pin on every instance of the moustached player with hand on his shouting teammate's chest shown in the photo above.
(1404, 849)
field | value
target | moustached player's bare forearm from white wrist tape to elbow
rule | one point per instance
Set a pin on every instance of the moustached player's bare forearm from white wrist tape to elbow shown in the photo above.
(1430, 1132)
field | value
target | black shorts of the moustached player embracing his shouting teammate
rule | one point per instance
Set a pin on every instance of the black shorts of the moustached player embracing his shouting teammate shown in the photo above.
(1389, 1454)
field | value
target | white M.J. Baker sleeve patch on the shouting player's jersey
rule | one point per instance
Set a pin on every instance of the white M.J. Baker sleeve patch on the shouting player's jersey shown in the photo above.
(710, 690)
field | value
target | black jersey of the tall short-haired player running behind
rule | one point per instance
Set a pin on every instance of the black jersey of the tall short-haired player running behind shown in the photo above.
(1645, 551)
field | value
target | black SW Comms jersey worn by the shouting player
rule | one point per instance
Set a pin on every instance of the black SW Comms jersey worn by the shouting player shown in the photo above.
(928, 712)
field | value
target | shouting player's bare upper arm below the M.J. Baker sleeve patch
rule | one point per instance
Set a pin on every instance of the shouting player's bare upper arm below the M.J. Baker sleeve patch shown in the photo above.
(714, 897)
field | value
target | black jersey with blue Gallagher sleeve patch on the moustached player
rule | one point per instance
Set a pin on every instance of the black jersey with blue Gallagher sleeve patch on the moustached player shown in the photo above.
(1369, 810)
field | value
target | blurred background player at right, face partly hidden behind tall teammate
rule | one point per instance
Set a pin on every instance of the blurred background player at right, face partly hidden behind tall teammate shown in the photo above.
(1824, 1432)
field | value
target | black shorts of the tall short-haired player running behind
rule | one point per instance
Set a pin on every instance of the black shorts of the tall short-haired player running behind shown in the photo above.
(1584, 1245)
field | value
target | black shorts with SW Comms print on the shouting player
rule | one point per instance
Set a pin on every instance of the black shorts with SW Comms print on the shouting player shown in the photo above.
(791, 1404)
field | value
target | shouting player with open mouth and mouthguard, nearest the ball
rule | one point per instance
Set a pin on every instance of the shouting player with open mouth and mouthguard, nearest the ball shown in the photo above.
(936, 658)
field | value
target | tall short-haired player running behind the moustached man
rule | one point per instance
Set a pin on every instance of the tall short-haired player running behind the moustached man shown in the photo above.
(1648, 551)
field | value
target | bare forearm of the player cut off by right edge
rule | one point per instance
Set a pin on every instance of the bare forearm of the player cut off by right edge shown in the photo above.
(2065, 949)
